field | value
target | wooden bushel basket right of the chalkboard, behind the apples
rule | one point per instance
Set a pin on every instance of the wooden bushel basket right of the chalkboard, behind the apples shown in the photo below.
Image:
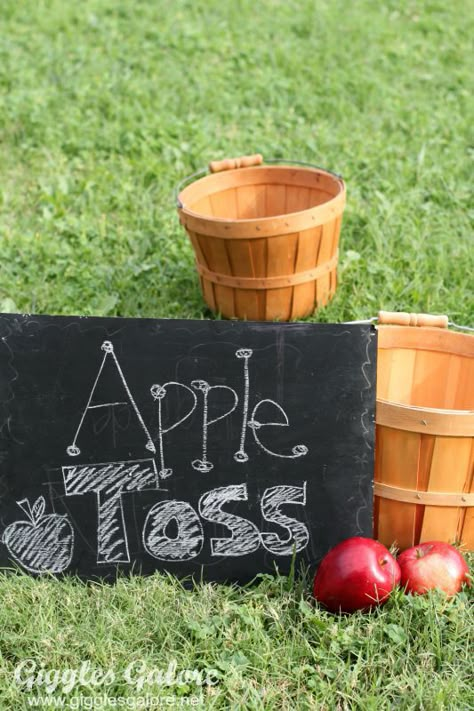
(424, 453)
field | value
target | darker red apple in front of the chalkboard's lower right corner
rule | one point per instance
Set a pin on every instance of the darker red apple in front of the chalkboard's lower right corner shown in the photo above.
(357, 574)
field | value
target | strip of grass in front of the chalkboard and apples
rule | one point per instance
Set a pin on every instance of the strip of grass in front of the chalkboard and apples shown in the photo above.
(265, 647)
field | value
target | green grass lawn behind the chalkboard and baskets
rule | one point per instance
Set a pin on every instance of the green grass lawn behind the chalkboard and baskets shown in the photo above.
(106, 106)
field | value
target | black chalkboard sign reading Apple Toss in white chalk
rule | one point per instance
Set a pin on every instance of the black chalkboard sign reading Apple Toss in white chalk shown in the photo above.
(216, 449)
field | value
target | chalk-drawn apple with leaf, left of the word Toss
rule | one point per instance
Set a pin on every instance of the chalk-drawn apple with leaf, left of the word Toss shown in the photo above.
(43, 543)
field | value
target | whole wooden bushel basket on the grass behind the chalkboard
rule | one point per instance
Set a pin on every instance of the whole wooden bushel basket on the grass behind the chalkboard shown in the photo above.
(265, 237)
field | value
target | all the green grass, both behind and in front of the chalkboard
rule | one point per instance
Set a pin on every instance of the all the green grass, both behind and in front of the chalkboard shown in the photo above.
(104, 107)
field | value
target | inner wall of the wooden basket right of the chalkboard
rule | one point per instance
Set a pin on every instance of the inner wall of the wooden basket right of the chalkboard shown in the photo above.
(426, 378)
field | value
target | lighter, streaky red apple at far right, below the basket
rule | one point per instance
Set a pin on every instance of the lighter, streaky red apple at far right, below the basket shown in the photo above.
(433, 565)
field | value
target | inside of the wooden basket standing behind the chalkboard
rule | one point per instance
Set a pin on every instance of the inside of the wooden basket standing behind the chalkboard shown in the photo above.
(259, 192)
